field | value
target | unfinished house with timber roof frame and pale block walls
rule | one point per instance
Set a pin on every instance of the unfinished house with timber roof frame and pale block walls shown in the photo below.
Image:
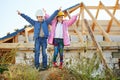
(97, 35)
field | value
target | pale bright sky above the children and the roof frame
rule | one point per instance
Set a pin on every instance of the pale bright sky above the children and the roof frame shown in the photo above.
(10, 20)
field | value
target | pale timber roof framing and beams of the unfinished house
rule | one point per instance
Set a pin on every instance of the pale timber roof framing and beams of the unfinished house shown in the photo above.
(82, 27)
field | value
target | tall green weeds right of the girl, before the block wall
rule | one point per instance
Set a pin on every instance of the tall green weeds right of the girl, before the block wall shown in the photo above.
(89, 69)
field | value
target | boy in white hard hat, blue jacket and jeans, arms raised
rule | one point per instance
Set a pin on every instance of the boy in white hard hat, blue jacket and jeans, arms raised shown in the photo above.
(40, 35)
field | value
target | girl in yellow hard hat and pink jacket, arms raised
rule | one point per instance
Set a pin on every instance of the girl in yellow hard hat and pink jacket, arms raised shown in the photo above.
(59, 36)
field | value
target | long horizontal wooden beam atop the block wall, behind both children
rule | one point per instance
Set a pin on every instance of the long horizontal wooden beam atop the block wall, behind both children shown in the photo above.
(73, 45)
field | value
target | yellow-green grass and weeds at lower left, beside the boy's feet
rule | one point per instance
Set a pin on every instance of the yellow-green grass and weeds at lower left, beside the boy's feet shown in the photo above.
(11, 71)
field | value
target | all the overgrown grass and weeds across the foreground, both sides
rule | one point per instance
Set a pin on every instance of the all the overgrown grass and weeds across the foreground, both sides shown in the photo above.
(81, 68)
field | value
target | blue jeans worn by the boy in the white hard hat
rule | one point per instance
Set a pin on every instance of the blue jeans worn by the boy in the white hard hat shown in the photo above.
(40, 41)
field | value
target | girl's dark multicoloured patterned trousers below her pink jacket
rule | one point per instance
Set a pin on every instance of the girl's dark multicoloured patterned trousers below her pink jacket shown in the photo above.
(58, 48)
